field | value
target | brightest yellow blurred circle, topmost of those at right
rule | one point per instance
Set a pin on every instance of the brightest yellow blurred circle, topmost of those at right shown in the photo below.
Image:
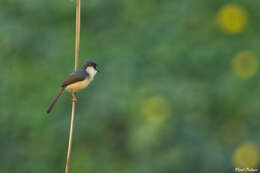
(232, 19)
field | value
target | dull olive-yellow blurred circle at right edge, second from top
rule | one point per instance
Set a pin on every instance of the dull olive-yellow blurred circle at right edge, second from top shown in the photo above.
(245, 64)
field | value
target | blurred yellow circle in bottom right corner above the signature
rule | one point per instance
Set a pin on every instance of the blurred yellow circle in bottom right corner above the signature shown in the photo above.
(246, 156)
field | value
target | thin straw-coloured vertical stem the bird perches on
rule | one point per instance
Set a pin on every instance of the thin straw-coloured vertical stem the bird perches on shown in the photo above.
(77, 38)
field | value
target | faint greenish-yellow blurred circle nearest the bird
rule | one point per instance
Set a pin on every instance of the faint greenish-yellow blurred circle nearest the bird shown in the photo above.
(155, 109)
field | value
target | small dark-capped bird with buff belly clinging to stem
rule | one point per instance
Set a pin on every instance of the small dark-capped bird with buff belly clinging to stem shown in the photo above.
(77, 81)
